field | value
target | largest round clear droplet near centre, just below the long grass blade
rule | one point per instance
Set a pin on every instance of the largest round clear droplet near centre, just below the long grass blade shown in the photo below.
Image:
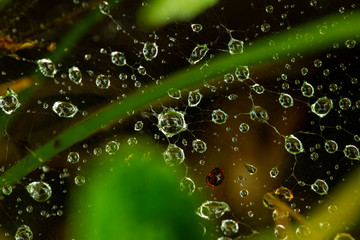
(171, 122)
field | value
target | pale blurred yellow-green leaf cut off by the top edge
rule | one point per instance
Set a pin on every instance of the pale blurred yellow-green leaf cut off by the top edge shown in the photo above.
(161, 12)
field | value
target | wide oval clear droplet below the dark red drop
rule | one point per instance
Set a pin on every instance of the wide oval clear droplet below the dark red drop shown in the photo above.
(212, 209)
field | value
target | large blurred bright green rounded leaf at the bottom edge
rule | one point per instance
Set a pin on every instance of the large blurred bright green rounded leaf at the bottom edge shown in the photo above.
(135, 196)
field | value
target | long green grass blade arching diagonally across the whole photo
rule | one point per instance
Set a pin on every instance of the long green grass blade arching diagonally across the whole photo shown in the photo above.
(260, 52)
